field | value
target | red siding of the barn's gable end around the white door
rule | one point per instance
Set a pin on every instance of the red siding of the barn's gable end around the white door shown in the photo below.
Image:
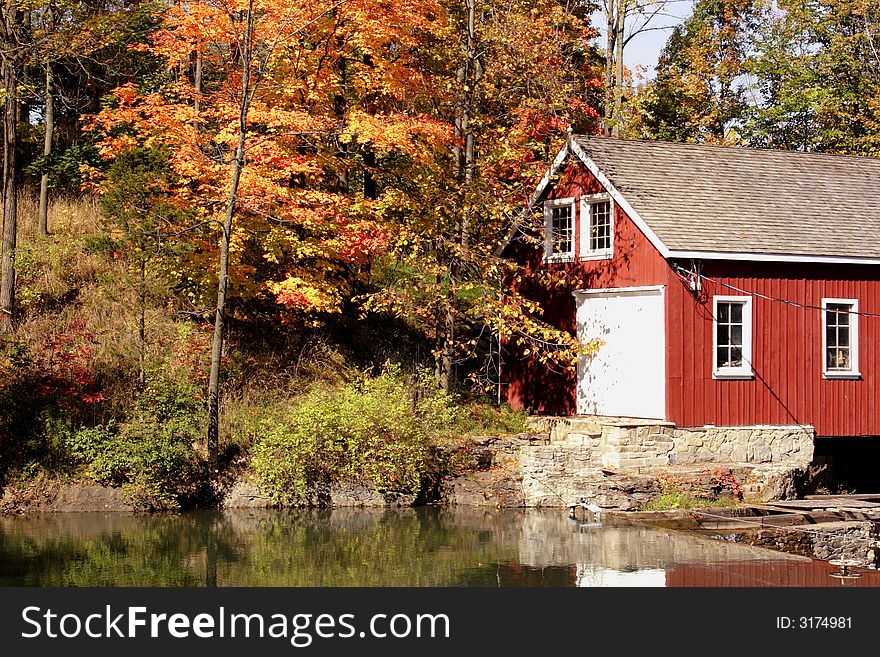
(635, 262)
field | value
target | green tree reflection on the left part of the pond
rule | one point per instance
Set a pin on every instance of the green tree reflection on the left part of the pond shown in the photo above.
(404, 547)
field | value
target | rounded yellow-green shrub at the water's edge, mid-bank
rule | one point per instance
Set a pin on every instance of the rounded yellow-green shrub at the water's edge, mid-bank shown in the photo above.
(379, 431)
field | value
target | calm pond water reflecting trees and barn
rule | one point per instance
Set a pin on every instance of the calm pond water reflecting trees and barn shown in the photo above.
(401, 547)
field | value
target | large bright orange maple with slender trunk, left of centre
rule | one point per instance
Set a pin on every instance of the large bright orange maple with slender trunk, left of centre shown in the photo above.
(261, 109)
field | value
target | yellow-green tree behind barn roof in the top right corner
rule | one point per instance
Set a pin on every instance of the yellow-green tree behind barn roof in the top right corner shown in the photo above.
(817, 77)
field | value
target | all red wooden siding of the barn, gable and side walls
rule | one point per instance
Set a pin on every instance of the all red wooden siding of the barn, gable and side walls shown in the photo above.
(788, 386)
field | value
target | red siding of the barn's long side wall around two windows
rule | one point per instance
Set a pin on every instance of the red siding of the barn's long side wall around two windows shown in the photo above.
(788, 387)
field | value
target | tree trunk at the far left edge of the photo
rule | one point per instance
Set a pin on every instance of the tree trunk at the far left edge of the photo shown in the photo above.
(10, 200)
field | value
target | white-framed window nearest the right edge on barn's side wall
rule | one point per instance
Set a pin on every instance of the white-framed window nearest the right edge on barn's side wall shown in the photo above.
(840, 338)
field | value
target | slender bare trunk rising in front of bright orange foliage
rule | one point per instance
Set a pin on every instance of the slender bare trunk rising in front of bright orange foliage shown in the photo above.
(236, 166)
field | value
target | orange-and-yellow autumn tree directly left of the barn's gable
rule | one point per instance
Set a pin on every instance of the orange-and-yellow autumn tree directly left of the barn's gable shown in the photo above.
(523, 73)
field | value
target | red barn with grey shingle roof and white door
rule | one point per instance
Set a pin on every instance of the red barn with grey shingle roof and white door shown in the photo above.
(730, 286)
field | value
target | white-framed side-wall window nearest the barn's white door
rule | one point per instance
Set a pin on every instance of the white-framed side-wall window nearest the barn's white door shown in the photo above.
(732, 341)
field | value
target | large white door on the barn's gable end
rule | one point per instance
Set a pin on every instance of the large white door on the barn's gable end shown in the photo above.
(627, 376)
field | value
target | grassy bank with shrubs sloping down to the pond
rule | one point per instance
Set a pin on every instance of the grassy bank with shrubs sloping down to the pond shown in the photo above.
(105, 374)
